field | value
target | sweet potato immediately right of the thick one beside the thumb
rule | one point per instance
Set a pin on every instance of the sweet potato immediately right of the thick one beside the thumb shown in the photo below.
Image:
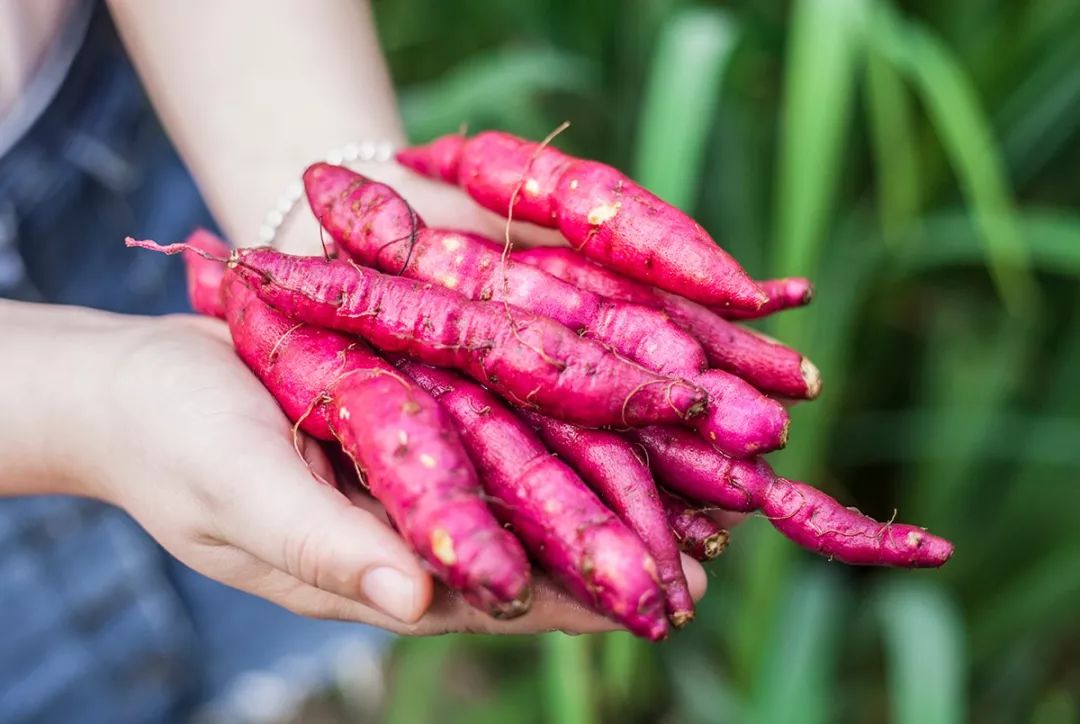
(563, 525)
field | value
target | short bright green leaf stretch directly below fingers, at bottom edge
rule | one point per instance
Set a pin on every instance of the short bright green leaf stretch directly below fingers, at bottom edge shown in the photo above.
(568, 679)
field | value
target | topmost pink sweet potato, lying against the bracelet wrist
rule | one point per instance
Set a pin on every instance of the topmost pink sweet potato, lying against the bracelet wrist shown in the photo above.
(601, 212)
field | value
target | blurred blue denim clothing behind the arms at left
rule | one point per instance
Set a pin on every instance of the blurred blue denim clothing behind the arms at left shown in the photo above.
(98, 624)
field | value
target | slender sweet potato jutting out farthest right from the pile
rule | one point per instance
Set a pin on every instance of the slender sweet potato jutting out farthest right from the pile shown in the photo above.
(811, 518)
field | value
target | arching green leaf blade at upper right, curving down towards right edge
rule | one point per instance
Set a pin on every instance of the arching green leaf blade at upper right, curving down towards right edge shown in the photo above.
(955, 111)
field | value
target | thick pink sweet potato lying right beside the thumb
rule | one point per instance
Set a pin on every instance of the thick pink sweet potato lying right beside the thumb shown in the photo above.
(412, 458)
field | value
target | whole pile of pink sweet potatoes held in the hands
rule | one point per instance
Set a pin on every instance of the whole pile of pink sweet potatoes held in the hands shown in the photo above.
(584, 408)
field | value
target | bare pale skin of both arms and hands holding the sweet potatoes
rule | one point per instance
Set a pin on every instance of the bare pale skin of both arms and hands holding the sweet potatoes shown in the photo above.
(158, 417)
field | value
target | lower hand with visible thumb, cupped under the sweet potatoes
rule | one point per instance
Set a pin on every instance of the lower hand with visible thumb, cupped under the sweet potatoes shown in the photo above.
(187, 440)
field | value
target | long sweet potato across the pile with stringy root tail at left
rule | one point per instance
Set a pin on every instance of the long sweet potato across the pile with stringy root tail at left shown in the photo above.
(534, 361)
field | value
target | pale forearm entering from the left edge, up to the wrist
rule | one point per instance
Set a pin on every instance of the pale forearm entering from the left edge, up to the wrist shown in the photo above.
(52, 373)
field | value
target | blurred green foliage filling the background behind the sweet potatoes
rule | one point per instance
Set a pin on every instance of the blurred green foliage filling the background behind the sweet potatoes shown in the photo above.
(920, 162)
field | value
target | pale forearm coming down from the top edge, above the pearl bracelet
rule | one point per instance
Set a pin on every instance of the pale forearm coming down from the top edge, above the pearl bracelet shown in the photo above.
(281, 84)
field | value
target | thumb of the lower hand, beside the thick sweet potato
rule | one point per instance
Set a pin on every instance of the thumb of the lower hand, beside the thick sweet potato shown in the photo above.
(314, 533)
